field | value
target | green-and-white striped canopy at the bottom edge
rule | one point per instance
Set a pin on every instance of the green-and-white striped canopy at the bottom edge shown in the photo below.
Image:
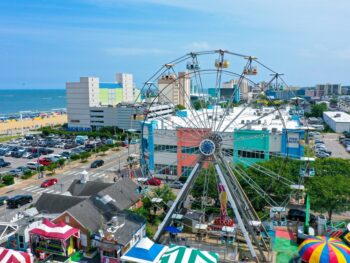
(179, 254)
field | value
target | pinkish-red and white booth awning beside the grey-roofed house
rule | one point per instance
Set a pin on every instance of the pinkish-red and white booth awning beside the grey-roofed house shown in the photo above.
(57, 231)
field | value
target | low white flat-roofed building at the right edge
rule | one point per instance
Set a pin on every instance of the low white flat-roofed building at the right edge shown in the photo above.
(338, 121)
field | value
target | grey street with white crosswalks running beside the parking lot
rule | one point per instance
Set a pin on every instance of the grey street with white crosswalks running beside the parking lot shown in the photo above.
(73, 171)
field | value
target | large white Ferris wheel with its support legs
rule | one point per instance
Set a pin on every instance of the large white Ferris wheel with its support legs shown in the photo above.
(221, 112)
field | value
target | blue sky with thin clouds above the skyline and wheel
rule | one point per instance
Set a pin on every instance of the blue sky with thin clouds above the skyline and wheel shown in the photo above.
(45, 43)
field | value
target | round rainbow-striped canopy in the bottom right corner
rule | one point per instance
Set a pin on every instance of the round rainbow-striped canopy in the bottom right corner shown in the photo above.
(324, 250)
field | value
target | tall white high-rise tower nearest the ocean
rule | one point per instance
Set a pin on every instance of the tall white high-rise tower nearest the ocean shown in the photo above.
(80, 97)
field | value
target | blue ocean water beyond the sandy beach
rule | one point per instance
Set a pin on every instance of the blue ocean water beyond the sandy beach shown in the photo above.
(15, 100)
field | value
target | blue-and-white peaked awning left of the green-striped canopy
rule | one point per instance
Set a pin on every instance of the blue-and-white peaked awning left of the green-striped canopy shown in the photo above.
(145, 251)
